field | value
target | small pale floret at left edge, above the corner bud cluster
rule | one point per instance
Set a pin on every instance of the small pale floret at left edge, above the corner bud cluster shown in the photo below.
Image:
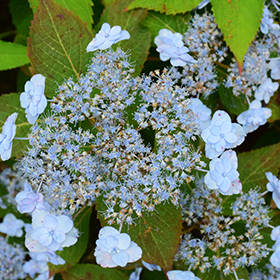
(12, 226)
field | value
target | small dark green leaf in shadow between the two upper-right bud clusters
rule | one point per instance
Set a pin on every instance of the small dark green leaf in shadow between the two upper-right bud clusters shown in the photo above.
(234, 104)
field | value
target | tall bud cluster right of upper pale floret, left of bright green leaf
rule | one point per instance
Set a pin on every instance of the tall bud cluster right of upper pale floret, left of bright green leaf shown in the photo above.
(205, 42)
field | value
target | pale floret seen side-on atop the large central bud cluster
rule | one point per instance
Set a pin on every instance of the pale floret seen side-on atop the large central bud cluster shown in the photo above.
(106, 37)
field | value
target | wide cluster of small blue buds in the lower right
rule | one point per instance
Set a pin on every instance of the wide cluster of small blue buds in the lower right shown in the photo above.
(202, 210)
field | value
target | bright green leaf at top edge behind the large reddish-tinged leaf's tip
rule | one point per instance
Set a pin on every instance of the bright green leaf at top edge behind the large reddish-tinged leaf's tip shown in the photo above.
(82, 8)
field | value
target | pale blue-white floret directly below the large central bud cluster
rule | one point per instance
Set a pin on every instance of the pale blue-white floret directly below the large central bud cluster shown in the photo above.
(115, 248)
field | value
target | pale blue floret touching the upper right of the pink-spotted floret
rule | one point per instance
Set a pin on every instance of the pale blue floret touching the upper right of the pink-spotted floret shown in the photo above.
(254, 117)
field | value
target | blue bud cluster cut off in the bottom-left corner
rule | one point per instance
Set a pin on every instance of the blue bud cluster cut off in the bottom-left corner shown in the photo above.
(12, 259)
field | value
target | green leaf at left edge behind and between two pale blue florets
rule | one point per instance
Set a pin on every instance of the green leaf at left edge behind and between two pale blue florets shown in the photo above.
(10, 104)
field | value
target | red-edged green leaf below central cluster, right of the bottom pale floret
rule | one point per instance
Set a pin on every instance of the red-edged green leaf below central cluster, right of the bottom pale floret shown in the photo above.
(157, 233)
